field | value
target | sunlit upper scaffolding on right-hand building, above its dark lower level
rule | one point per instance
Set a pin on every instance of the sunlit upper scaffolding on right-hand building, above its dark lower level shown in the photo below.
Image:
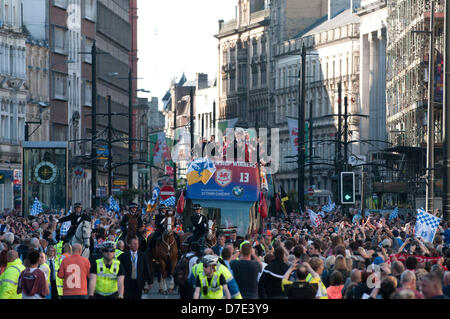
(407, 71)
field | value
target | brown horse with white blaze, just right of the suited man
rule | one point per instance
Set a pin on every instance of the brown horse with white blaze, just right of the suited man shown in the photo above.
(165, 252)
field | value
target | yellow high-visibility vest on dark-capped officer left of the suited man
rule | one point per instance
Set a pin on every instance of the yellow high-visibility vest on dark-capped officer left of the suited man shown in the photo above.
(106, 283)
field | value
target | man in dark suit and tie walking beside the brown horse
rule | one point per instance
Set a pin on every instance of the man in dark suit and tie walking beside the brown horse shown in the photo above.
(137, 271)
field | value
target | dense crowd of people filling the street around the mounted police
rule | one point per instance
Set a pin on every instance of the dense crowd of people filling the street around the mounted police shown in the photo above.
(342, 258)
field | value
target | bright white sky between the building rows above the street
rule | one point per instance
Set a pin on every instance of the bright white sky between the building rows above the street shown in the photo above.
(176, 36)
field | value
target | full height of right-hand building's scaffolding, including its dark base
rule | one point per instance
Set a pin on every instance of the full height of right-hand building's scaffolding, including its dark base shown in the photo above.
(407, 78)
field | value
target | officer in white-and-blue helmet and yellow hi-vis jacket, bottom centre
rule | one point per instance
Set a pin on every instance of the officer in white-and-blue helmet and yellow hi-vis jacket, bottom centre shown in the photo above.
(211, 284)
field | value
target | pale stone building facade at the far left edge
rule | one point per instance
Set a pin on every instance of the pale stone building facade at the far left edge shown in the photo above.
(13, 100)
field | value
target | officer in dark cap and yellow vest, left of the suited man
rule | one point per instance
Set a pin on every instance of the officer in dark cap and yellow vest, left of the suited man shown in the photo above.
(107, 275)
